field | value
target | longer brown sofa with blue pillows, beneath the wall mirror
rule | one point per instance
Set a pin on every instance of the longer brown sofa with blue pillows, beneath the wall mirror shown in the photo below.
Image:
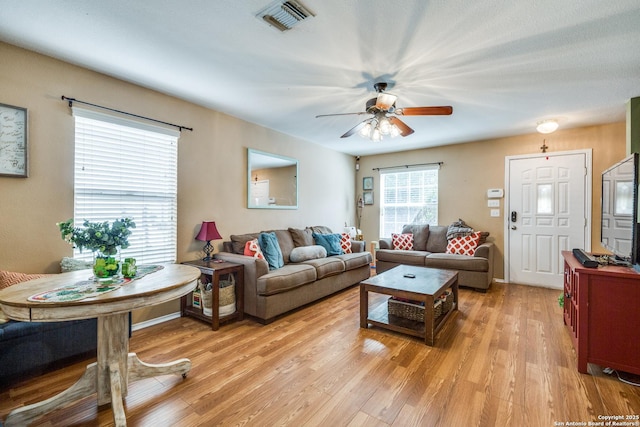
(269, 293)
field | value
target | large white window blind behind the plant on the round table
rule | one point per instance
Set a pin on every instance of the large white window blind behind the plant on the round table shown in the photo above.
(125, 168)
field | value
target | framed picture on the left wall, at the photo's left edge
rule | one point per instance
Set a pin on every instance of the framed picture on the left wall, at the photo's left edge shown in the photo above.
(13, 141)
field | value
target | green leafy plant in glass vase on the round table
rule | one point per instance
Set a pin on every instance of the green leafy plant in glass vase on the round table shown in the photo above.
(103, 239)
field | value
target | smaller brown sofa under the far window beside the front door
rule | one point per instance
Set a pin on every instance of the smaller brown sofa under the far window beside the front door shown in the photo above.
(429, 250)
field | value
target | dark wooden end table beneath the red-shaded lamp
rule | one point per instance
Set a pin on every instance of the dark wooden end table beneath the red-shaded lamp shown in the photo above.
(214, 270)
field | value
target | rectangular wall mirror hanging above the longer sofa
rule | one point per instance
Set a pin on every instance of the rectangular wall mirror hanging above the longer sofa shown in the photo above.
(272, 181)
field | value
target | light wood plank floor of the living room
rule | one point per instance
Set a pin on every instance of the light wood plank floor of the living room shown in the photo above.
(504, 360)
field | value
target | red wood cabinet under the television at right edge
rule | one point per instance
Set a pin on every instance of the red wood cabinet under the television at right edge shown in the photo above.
(602, 313)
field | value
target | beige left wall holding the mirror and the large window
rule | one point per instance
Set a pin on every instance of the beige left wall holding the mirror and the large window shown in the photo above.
(212, 163)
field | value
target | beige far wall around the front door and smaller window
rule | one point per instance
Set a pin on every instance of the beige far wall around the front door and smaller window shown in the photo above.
(469, 170)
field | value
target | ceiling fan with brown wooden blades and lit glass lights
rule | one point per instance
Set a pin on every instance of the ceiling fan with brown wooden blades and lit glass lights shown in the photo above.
(384, 123)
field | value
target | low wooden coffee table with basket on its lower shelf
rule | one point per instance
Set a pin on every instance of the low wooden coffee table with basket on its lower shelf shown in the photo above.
(426, 285)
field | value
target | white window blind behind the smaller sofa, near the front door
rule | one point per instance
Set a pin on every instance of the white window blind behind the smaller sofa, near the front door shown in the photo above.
(408, 196)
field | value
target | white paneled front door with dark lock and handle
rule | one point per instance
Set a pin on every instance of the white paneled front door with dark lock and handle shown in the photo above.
(547, 211)
